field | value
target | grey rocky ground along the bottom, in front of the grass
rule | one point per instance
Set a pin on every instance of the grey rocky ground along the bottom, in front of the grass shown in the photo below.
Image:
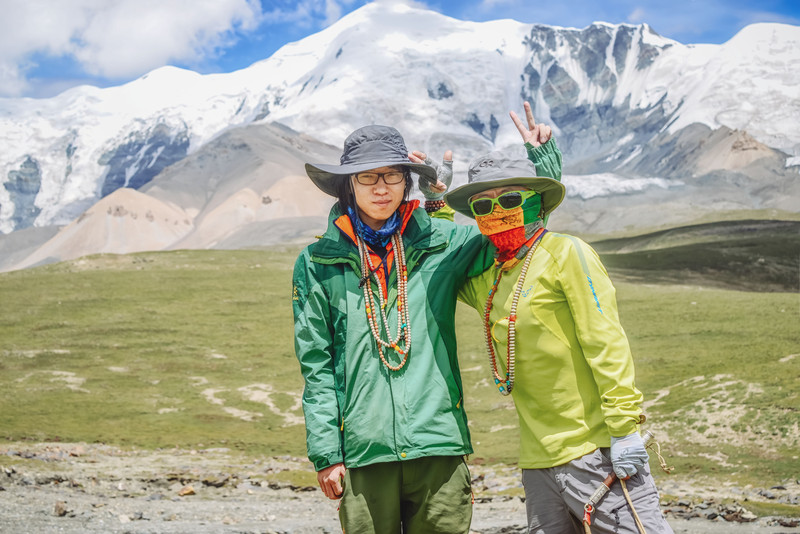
(80, 488)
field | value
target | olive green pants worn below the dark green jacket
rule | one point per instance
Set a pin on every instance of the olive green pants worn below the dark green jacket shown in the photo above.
(426, 495)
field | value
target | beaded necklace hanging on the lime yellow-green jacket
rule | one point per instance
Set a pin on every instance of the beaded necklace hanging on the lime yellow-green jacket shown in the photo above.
(506, 384)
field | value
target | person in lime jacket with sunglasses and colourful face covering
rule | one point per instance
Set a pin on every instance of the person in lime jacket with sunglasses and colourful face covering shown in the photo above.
(555, 343)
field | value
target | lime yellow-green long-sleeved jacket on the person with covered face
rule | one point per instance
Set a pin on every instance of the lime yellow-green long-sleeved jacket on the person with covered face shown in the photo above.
(574, 384)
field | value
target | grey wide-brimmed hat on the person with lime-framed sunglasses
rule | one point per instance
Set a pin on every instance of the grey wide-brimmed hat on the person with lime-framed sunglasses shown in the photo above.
(496, 170)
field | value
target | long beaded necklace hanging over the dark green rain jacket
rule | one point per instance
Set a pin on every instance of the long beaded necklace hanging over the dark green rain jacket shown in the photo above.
(403, 322)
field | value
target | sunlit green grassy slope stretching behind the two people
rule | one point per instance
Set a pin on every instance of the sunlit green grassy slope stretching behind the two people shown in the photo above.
(189, 347)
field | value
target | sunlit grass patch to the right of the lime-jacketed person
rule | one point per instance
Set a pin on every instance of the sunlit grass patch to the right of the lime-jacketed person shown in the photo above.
(723, 360)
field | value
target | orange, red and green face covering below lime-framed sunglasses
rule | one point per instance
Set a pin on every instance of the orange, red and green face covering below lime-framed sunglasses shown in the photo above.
(506, 228)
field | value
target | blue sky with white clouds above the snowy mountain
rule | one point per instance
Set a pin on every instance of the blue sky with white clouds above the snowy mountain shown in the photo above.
(47, 46)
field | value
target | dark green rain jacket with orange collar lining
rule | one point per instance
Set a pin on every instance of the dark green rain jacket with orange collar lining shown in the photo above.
(356, 410)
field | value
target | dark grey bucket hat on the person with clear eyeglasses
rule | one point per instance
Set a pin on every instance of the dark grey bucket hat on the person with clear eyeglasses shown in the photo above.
(367, 148)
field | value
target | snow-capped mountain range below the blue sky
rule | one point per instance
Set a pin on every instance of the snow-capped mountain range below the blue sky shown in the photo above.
(622, 100)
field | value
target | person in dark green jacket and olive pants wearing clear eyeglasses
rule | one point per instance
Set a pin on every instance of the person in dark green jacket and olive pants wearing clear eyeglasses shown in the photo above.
(374, 304)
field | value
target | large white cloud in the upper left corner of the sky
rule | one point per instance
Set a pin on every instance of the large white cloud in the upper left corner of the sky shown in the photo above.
(116, 39)
